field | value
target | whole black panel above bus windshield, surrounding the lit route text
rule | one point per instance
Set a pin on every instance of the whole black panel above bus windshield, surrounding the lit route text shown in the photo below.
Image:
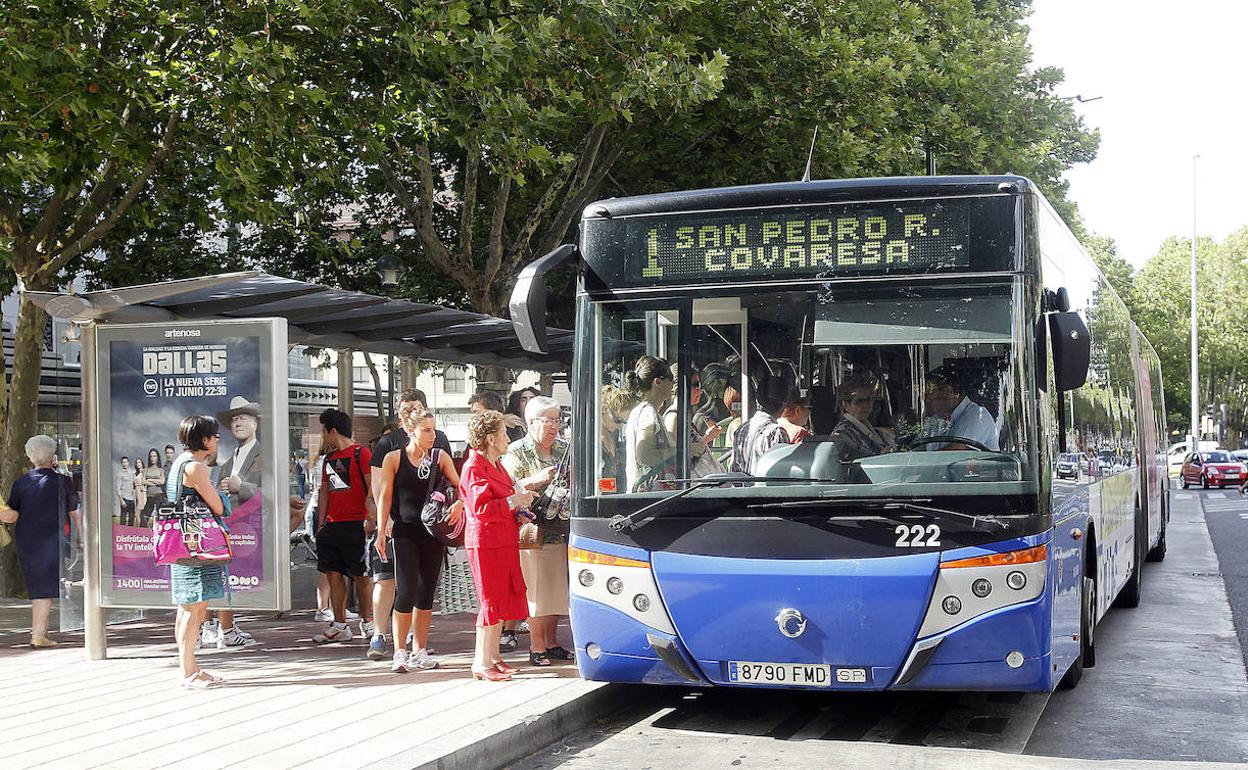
(927, 236)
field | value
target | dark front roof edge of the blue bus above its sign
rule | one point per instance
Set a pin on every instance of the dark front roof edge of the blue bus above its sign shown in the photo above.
(824, 192)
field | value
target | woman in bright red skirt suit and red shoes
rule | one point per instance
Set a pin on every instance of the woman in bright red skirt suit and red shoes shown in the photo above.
(492, 540)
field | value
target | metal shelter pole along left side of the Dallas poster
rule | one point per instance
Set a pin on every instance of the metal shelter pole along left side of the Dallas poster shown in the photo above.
(94, 515)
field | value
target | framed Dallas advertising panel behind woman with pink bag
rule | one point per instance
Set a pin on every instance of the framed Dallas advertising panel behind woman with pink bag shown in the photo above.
(152, 379)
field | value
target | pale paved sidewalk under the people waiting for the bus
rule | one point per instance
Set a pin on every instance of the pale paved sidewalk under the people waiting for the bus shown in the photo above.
(288, 703)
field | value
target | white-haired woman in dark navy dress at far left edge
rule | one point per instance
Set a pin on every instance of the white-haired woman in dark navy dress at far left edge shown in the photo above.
(39, 504)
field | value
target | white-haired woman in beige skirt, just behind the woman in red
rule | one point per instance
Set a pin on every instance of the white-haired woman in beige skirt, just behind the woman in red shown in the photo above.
(534, 461)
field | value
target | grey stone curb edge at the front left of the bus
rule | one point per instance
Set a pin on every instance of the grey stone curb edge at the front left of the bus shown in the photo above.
(537, 732)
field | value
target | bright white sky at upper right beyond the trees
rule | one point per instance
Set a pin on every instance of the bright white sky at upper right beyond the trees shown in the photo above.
(1172, 80)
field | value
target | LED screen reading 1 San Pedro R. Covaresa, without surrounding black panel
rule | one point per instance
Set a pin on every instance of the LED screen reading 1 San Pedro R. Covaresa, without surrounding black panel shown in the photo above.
(812, 241)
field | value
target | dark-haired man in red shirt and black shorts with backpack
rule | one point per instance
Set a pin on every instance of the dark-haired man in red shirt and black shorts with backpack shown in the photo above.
(346, 517)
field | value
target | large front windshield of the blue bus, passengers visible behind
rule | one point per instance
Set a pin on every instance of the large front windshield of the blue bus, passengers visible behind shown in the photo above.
(874, 389)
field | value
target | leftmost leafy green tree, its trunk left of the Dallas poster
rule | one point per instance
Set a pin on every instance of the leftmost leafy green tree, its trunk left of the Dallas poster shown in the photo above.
(103, 102)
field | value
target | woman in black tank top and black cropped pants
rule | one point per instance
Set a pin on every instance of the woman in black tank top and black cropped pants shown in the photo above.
(405, 479)
